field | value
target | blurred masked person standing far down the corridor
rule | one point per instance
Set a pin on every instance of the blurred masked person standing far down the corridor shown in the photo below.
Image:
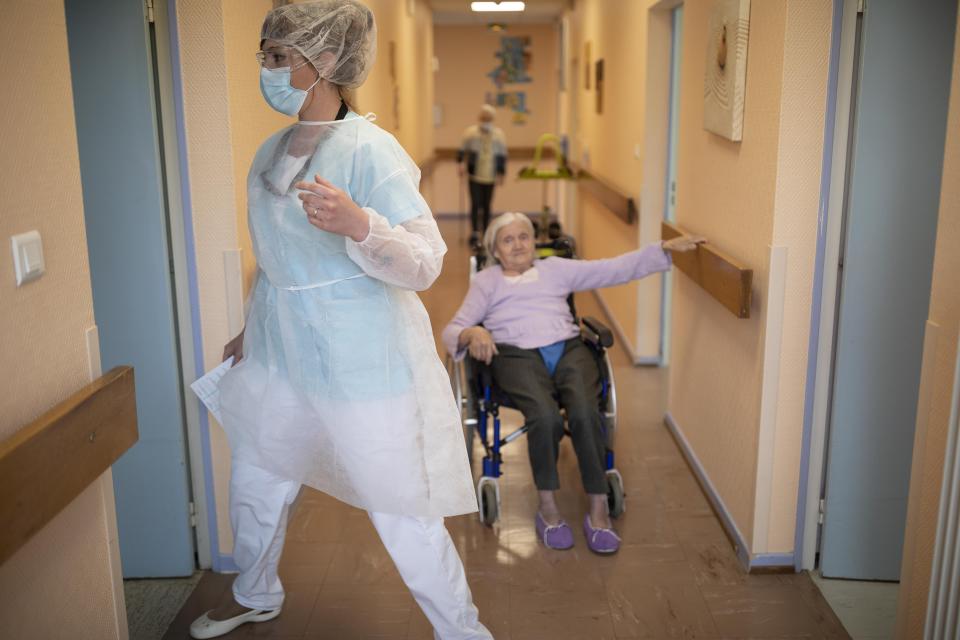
(483, 158)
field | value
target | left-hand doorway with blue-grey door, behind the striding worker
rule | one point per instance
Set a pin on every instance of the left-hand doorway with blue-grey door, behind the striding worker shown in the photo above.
(125, 164)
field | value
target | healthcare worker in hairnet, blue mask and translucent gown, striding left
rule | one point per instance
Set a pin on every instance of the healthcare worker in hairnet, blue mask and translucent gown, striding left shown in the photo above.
(336, 382)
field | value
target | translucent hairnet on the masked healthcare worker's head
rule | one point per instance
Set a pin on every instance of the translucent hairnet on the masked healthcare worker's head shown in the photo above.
(339, 37)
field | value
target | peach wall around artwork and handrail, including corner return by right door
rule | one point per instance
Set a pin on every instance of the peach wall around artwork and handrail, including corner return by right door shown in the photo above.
(748, 198)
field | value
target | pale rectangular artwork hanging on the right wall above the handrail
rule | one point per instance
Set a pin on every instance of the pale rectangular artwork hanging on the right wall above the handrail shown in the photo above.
(724, 83)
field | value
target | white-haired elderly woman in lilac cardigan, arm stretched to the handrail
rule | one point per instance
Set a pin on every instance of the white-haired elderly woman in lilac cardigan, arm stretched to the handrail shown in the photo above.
(516, 320)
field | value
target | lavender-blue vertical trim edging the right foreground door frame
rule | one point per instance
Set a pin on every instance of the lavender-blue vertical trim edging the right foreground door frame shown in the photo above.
(817, 297)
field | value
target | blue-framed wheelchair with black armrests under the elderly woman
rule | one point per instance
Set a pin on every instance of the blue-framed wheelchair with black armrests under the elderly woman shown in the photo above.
(480, 398)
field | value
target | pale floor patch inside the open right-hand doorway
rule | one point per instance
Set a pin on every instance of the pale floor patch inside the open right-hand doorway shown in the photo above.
(868, 610)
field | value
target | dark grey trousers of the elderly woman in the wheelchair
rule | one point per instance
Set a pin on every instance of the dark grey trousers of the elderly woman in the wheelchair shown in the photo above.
(576, 384)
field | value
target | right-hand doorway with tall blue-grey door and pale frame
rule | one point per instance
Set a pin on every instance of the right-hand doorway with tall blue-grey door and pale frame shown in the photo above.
(891, 105)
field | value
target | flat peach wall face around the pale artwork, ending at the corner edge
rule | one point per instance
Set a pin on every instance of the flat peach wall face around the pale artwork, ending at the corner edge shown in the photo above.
(726, 192)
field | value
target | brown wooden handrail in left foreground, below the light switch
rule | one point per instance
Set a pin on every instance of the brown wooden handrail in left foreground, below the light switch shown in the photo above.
(48, 463)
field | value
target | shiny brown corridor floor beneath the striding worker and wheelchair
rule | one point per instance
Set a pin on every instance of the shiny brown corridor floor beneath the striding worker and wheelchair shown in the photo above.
(676, 575)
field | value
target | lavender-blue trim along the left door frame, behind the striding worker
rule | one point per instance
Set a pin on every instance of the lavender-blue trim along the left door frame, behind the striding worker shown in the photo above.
(189, 241)
